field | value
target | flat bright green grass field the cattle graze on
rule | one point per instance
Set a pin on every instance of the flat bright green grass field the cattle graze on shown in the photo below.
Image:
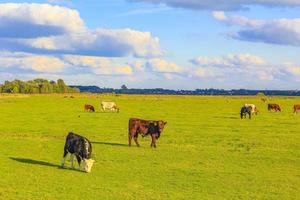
(205, 152)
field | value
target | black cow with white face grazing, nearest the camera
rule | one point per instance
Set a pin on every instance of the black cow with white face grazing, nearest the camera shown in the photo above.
(81, 148)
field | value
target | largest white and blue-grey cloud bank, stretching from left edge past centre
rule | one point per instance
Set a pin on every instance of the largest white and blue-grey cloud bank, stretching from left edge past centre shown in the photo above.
(44, 28)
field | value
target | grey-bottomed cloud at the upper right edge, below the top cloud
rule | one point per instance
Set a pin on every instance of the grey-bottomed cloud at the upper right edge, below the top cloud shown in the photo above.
(277, 31)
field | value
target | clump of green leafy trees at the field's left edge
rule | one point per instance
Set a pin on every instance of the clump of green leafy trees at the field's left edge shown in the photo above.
(36, 86)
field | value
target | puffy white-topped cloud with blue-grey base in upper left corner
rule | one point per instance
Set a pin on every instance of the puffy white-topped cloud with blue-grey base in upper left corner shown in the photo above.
(37, 20)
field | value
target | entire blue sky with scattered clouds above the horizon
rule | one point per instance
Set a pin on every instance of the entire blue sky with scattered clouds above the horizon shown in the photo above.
(174, 44)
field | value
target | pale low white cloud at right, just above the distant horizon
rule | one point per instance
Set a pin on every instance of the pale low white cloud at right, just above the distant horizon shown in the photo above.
(244, 69)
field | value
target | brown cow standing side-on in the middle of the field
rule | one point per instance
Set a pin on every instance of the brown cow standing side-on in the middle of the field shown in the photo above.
(145, 127)
